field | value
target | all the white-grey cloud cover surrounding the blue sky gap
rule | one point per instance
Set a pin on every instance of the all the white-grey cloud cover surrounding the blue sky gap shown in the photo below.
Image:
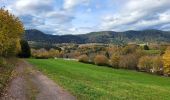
(134, 14)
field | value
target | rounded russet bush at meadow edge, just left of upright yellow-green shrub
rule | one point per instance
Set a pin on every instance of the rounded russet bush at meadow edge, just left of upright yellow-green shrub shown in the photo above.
(101, 60)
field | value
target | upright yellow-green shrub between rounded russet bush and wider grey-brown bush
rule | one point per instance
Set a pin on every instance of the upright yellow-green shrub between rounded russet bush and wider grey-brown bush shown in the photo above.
(114, 61)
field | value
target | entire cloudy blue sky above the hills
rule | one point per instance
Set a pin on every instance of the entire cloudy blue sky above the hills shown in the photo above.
(61, 17)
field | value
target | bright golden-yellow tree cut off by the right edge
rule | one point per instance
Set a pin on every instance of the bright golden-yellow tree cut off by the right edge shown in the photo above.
(166, 62)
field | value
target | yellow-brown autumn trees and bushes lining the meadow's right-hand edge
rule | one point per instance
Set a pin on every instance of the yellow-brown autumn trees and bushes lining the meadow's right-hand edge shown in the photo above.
(133, 57)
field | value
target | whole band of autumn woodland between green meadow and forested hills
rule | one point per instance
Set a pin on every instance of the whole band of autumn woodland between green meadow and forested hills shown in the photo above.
(151, 59)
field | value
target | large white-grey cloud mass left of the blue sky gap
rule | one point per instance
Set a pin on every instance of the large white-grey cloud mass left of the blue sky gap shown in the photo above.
(42, 15)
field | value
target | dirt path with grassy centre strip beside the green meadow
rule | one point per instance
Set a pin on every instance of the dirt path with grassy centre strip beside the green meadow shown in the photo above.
(29, 84)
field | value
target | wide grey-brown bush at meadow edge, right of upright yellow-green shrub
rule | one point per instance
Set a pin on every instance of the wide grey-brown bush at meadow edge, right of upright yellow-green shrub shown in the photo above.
(128, 61)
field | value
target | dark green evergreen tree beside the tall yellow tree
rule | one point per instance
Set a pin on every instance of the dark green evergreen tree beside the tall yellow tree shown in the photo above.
(25, 49)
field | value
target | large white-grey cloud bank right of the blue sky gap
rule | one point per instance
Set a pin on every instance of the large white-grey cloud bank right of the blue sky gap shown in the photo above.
(138, 14)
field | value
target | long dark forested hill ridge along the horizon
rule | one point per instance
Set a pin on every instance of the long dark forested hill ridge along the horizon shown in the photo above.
(151, 36)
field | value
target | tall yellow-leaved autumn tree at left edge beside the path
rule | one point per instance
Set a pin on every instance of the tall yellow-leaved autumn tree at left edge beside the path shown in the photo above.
(11, 30)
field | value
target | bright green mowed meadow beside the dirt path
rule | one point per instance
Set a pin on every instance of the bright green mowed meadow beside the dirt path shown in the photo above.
(91, 82)
